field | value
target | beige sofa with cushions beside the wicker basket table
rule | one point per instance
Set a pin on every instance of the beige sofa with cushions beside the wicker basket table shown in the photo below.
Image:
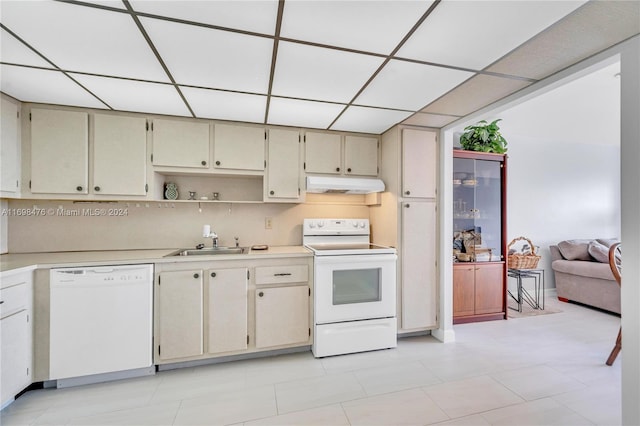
(583, 274)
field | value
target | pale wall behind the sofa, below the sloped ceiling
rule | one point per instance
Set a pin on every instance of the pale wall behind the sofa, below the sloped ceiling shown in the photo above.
(559, 191)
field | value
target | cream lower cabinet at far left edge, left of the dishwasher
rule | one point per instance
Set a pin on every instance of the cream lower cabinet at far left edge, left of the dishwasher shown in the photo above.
(16, 335)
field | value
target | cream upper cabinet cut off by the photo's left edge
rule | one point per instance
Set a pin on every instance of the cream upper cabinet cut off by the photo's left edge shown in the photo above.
(10, 148)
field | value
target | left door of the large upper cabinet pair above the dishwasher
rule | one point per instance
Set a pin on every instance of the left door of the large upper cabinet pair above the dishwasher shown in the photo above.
(59, 152)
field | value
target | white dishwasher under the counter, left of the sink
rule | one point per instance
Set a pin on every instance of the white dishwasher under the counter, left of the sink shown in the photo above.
(101, 321)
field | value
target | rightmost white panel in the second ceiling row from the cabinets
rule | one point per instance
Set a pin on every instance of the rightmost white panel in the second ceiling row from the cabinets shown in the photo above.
(411, 86)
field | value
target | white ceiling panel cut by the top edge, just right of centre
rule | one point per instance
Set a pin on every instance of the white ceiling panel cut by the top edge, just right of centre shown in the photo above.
(373, 26)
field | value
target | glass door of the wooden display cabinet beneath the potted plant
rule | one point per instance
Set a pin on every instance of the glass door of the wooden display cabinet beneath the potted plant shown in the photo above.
(477, 210)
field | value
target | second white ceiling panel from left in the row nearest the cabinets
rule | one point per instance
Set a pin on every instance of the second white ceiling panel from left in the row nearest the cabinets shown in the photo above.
(136, 96)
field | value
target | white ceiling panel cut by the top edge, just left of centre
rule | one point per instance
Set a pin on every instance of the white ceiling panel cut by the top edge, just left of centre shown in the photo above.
(255, 16)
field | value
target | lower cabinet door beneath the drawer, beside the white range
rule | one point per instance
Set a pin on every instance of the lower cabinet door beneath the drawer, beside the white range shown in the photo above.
(282, 316)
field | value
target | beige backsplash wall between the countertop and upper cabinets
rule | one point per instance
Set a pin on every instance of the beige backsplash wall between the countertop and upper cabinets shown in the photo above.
(165, 225)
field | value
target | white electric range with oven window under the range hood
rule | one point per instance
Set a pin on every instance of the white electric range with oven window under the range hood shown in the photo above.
(355, 287)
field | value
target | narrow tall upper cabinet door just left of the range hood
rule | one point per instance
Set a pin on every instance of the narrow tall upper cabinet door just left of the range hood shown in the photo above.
(283, 170)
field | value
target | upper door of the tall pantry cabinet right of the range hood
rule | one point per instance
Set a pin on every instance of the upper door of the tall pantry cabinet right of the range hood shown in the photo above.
(419, 160)
